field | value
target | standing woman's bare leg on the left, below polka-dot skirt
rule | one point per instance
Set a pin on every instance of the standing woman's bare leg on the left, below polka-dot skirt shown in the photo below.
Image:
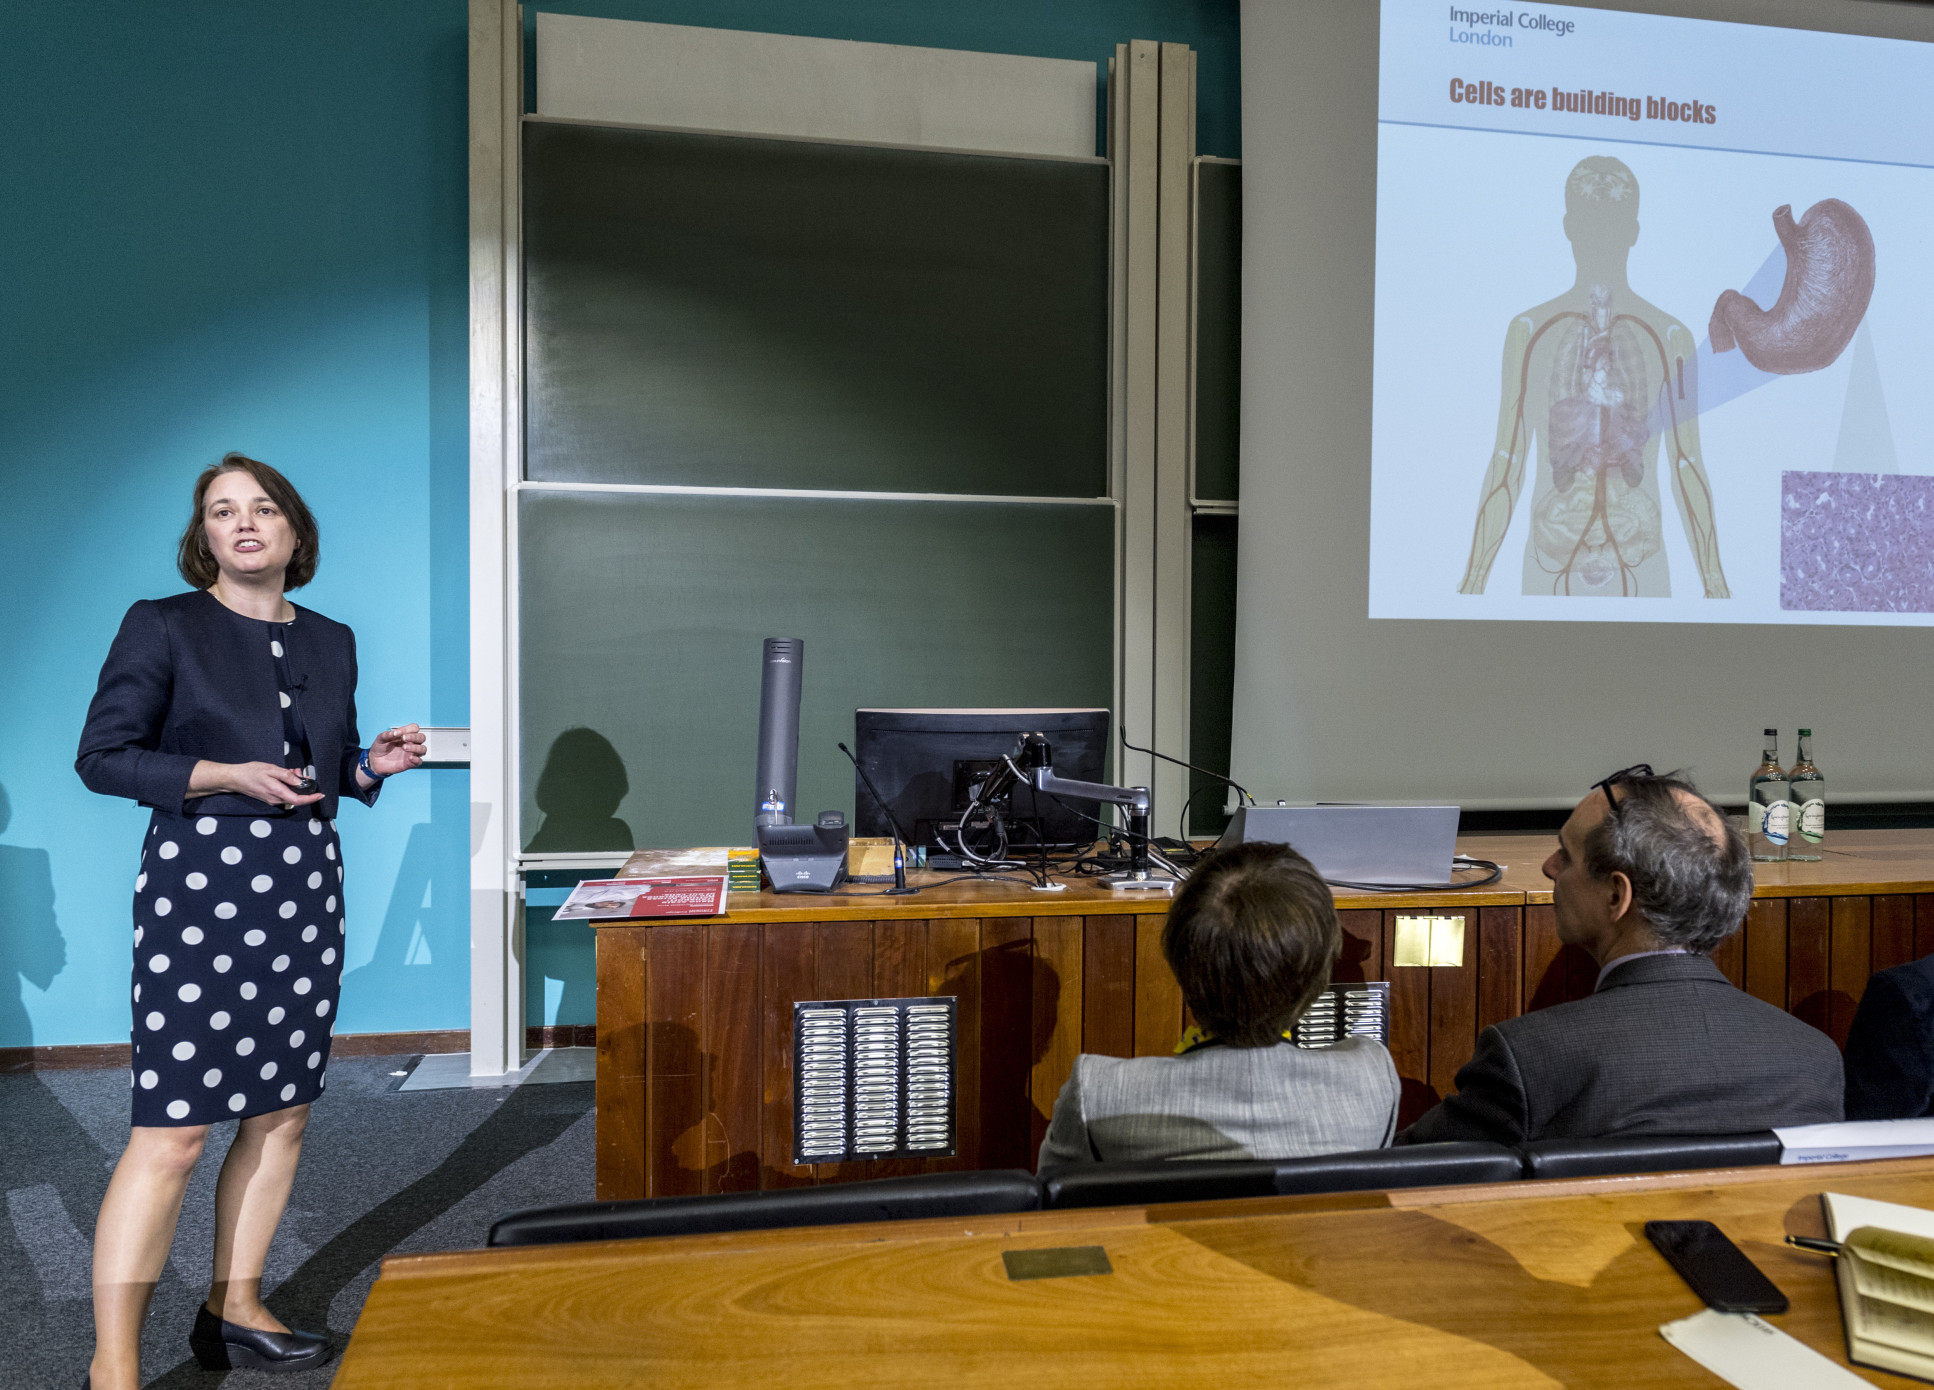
(132, 1238)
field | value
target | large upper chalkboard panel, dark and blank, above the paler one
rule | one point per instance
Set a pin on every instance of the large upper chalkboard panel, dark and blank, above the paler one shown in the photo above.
(720, 310)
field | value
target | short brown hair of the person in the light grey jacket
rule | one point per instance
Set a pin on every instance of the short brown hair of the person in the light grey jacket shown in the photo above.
(1252, 939)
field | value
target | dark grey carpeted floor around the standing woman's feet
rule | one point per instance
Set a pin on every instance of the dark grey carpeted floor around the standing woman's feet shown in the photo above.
(382, 1173)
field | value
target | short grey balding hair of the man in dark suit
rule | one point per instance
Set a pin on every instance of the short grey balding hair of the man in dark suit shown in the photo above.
(1689, 886)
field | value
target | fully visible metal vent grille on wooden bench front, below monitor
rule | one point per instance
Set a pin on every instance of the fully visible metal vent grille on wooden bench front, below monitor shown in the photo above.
(873, 1080)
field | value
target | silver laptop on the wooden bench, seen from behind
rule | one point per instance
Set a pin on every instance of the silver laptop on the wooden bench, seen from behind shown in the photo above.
(1359, 844)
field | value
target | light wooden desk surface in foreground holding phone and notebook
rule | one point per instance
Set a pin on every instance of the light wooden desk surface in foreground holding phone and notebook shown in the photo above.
(1521, 1285)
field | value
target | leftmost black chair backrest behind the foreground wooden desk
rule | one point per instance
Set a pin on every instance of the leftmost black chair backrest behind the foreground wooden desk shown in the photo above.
(885, 1200)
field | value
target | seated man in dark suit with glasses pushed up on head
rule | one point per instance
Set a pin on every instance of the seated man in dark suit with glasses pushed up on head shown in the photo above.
(1649, 879)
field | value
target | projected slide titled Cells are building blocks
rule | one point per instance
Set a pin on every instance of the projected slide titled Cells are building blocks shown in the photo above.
(1653, 324)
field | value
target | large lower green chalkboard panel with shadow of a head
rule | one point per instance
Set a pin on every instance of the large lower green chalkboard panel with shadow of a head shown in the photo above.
(643, 614)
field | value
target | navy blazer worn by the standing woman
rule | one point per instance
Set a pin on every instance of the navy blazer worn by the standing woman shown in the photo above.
(190, 680)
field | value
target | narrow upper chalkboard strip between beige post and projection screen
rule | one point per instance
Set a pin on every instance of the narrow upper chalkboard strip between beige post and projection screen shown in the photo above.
(1217, 330)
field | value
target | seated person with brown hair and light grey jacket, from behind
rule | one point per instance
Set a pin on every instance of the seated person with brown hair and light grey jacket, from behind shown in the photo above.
(1252, 939)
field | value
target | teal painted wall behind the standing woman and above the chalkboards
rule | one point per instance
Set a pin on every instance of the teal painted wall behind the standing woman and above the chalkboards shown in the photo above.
(241, 225)
